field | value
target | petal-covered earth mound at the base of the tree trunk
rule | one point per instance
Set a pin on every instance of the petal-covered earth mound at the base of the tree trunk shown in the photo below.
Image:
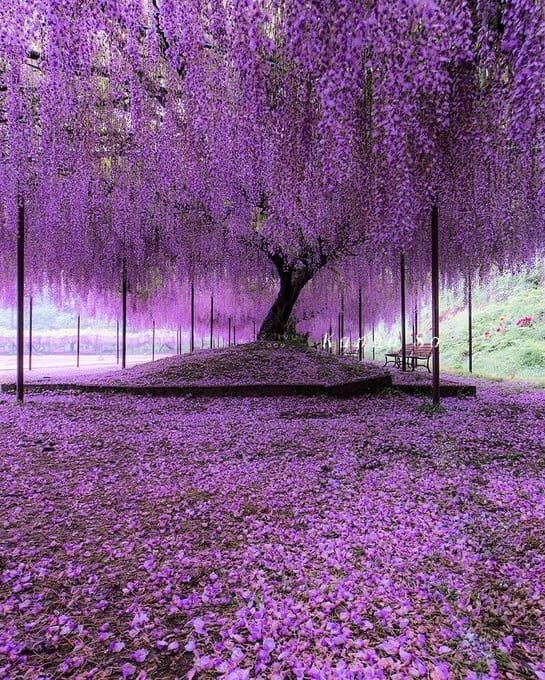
(252, 364)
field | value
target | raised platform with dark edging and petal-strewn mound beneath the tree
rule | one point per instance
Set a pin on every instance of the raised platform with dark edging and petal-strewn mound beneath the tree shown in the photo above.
(255, 370)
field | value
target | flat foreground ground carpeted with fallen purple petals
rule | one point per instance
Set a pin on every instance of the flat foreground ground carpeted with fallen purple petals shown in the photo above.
(273, 538)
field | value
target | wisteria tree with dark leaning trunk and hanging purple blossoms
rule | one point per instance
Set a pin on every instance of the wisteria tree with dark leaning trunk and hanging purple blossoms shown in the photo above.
(164, 135)
